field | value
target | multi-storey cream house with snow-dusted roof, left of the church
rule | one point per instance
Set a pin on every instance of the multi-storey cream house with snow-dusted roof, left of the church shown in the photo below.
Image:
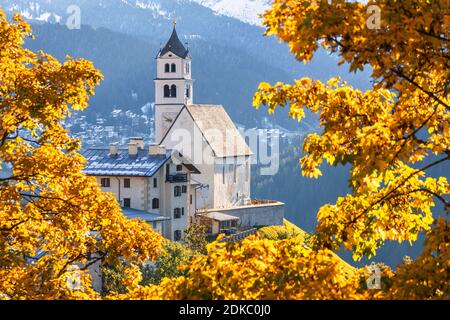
(151, 184)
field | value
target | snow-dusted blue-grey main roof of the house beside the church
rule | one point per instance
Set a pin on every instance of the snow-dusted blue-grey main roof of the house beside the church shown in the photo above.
(102, 163)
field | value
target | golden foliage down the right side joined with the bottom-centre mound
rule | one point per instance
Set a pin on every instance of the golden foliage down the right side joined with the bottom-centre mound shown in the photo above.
(390, 136)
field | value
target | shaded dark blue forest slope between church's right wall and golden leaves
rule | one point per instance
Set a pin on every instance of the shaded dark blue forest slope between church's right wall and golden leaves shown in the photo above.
(304, 197)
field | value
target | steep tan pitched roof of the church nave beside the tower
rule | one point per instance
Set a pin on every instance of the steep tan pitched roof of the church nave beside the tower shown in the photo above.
(218, 130)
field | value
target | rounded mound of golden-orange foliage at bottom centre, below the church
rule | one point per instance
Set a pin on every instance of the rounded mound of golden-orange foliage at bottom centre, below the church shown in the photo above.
(259, 269)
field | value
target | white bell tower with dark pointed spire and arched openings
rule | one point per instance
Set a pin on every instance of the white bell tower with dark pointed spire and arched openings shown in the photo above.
(173, 83)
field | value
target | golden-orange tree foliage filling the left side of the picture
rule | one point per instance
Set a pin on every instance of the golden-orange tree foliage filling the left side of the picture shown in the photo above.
(52, 216)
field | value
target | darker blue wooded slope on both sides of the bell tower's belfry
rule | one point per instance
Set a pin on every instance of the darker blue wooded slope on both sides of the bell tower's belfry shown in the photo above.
(129, 66)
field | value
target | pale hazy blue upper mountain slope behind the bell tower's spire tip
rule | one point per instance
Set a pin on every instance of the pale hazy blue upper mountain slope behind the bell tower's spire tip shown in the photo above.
(151, 20)
